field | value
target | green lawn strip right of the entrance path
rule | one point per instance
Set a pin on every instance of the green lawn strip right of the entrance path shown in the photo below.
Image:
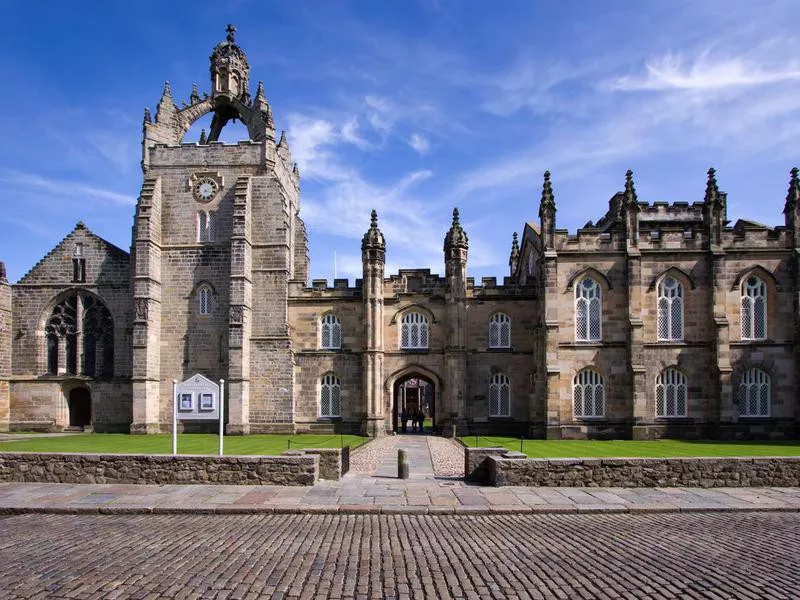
(629, 448)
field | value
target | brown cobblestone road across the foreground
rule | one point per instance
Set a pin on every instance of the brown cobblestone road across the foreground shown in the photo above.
(719, 555)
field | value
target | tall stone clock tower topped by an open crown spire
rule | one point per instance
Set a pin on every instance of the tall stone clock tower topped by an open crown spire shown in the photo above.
(216, 242)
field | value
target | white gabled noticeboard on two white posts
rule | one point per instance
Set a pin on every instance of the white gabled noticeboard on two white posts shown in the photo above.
(197, 399)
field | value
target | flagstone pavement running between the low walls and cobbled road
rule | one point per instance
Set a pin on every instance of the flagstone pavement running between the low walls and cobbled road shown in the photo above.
(384, 495)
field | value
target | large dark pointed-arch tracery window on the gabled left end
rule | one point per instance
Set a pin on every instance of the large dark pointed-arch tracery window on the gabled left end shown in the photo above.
(94, 328)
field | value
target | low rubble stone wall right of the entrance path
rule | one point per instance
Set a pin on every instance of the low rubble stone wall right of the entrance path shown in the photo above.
(645, 472)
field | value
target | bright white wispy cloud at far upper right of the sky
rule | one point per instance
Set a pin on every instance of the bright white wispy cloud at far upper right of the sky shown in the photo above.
(675, 72)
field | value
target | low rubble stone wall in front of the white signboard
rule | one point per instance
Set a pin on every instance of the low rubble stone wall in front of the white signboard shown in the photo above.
(303, 469)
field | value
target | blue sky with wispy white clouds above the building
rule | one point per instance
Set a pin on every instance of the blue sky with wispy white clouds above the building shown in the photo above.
(410, 108)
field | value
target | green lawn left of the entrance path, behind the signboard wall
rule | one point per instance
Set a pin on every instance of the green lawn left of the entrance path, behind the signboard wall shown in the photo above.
(189, 443)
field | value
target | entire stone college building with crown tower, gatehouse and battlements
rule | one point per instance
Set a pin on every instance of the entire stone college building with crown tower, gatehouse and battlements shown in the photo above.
(657, 320)
